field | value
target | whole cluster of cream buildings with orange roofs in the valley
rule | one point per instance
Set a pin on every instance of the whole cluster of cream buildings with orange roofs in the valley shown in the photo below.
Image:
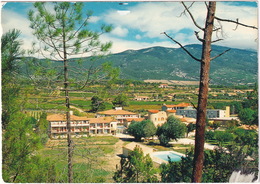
(117, 120)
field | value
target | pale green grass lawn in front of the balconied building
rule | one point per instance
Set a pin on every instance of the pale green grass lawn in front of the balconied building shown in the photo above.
(90, 158)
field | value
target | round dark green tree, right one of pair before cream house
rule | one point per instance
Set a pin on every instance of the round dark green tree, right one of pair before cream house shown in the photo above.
(172, 129)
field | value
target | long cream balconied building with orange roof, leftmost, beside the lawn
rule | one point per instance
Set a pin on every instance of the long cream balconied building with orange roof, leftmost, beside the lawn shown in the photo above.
(80, 125)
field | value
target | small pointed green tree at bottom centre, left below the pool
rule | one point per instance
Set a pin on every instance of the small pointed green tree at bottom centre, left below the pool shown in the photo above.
(136, 168)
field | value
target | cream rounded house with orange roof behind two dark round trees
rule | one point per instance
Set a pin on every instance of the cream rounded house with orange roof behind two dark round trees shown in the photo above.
(157, 117)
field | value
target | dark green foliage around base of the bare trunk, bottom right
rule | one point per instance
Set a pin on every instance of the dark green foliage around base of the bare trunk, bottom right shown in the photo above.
(218, 166)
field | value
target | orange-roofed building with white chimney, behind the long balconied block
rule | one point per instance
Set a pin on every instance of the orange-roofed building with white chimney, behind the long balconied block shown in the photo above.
(118, 113)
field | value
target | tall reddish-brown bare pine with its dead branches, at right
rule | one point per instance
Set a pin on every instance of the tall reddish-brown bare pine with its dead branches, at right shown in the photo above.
(205, 59)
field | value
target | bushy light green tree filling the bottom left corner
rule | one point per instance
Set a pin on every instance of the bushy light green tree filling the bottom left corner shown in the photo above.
(20, 161)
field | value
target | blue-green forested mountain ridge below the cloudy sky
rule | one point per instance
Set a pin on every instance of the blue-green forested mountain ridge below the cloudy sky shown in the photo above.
(235, 67)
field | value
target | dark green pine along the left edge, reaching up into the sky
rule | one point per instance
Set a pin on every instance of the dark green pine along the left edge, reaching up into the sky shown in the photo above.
(10, 55)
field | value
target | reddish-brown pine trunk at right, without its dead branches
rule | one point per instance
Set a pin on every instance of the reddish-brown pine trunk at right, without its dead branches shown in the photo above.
(203, 96)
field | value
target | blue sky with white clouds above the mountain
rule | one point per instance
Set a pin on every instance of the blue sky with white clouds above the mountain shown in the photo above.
(138, 25)
